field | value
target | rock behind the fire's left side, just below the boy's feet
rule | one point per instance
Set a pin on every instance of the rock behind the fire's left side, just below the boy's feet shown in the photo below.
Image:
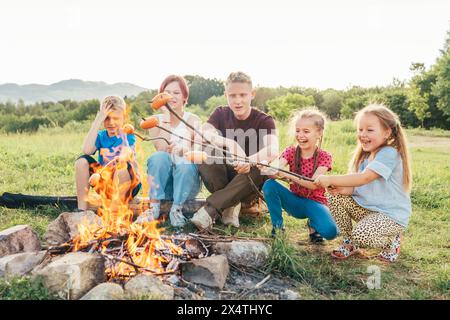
(64, 228)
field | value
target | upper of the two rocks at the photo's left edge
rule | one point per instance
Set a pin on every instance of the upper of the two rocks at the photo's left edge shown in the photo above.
(18, 239)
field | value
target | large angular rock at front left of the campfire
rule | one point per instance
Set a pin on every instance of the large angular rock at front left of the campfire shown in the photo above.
(73, 274)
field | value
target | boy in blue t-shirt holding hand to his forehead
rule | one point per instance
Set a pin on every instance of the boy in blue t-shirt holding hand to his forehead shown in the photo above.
(110, 143)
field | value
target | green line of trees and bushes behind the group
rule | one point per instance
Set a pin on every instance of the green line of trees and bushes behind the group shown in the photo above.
(422, 101)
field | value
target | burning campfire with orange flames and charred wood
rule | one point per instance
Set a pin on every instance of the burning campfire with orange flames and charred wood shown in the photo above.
(129, 248)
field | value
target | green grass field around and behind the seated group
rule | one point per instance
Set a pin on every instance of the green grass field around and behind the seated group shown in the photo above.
(42, 164)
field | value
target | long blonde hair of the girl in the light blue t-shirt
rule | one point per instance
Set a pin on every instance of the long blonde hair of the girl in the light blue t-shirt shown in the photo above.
(397, 139)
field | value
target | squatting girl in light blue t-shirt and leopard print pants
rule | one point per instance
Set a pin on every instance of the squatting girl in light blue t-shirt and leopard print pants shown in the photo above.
(376, 191)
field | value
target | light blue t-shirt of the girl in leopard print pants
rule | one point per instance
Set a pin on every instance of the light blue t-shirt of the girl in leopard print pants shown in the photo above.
(385, 194)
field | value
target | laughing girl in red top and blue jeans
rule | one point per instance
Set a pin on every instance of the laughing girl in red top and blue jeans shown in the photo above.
(304, 199)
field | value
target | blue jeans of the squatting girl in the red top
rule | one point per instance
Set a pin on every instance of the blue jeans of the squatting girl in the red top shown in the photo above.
(279, 197)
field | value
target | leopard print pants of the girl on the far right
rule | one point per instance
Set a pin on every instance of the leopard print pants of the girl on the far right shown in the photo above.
(372, 229)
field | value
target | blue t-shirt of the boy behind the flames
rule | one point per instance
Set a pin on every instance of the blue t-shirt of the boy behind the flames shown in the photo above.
(110, 147)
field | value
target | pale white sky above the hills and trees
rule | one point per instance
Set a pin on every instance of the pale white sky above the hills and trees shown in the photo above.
(317, 43)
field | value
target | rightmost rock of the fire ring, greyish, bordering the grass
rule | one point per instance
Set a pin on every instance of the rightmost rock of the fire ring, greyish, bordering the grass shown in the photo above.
(244, 253)
